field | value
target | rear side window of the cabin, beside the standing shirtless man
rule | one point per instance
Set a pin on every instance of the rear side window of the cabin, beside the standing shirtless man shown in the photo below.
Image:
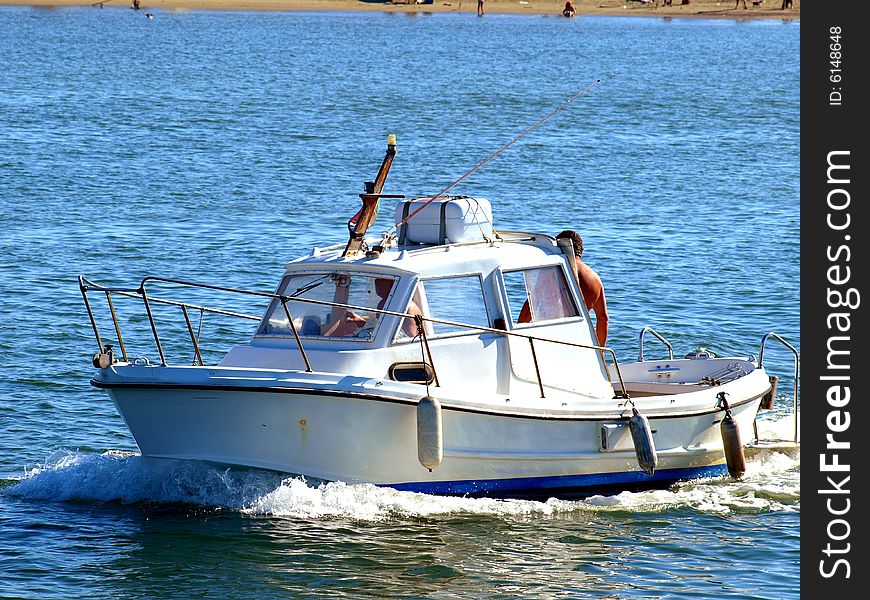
(536, 295)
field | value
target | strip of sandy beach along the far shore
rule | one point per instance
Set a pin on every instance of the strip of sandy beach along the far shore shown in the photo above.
(769, 9)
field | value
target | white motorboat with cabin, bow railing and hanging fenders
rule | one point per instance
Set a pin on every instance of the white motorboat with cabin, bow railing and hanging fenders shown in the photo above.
(404, 362)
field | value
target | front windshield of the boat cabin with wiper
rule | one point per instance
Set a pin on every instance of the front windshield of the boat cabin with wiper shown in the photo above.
(323, 321)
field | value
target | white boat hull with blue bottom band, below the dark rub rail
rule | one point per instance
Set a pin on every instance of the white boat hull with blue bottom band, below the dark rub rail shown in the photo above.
(365, 438)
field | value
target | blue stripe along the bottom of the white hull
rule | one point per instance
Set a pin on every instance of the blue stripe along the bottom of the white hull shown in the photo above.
(574, 483)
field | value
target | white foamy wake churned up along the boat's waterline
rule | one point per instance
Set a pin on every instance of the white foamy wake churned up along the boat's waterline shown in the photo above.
(771, 483)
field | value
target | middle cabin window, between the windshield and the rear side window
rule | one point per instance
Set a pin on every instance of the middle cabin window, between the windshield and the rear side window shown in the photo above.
(457, 299)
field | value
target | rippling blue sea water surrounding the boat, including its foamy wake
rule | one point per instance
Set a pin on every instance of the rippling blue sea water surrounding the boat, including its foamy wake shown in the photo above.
(216, 146)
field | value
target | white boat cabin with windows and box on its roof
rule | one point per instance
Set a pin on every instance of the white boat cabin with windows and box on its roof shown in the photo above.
(356, 314)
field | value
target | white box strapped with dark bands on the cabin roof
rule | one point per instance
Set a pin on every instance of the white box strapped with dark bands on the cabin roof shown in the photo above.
(447, 220)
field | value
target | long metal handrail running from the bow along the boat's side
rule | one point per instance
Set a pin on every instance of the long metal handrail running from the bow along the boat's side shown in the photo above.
(86, 286)
